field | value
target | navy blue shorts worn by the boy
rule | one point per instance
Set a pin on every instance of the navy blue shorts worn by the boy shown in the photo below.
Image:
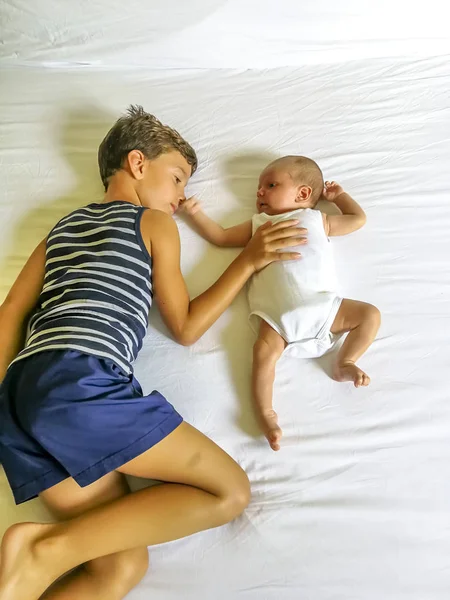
(66, 414)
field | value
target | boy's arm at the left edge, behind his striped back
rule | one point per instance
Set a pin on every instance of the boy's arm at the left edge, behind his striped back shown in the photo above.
(18, 306)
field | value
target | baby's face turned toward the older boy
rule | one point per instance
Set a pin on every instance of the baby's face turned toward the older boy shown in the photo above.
(277, 193)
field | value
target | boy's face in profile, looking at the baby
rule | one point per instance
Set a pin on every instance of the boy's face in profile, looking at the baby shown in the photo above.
(163, 182)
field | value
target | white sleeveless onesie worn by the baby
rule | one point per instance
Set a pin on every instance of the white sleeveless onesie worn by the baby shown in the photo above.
(298, 298)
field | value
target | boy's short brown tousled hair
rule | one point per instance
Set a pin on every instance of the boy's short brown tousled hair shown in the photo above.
(139, 130)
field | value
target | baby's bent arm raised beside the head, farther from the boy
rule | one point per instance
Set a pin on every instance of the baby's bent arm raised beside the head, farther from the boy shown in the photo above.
(353, 217)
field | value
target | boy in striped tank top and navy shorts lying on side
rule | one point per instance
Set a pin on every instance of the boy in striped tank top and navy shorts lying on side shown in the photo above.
(73, 418)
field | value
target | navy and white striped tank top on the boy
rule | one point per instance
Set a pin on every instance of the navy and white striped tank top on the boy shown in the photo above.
(97, 289)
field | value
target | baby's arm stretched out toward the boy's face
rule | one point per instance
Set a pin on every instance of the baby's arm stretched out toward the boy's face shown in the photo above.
(232, 237)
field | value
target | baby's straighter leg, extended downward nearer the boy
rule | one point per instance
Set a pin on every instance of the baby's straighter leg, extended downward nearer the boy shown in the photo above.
(266, 351)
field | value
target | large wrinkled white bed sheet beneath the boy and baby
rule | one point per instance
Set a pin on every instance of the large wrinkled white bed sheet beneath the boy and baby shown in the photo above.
(356, 504)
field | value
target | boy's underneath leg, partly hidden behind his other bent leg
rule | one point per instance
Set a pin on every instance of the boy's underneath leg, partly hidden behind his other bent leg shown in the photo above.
(109, 577)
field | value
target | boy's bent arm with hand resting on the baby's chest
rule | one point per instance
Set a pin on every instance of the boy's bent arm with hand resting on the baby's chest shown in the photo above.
(188, 319)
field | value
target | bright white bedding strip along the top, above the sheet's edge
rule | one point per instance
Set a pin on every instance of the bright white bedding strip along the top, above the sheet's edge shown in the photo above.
(218, 33)
